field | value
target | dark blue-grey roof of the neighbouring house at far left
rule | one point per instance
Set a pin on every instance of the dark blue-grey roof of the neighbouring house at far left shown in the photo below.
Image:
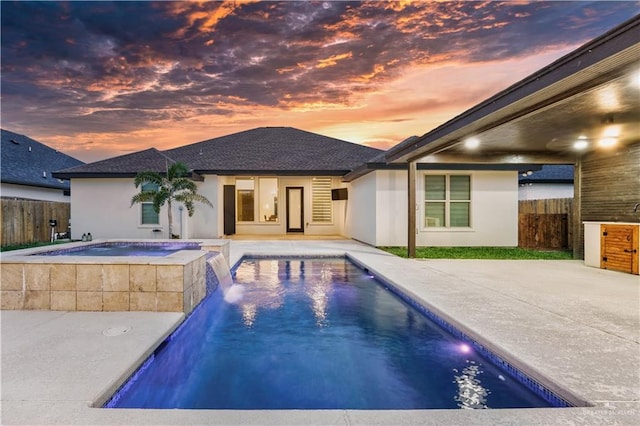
(26, 161)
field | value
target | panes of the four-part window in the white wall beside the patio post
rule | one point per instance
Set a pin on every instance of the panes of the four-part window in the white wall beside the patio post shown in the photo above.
(447, 201)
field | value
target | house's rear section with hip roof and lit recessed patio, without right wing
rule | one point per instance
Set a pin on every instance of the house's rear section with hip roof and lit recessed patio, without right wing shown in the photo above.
(264, 181)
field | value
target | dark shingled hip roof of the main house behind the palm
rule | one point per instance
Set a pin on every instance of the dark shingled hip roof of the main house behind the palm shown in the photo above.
(265, 150)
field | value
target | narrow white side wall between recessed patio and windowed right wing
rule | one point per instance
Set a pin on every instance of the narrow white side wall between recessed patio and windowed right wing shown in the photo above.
(361, 209)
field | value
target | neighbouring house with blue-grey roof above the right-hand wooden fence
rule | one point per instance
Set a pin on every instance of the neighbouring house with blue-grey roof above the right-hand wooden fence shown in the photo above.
(549, 182)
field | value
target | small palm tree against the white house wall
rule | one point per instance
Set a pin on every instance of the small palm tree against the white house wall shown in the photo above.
(172, 186)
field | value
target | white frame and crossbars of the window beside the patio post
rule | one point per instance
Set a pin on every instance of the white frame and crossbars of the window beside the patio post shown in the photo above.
(447, 214)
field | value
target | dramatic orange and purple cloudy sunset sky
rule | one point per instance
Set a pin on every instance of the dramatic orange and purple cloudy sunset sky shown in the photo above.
(100, 79)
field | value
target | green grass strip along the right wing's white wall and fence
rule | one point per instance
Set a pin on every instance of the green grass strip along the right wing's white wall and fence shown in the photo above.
(505, 253)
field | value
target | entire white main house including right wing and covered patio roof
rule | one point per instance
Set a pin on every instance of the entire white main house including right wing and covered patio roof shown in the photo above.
(456, 185)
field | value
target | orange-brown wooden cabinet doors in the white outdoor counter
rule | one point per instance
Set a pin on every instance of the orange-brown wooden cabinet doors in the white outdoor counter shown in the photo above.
(619, 248)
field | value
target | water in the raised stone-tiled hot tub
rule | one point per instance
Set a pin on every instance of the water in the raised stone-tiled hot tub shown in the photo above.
(123, 249)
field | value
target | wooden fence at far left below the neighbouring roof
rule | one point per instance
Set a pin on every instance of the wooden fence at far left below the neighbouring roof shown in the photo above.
(27, 221)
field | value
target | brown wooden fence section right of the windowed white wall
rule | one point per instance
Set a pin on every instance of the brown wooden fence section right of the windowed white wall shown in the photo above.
(545, 224)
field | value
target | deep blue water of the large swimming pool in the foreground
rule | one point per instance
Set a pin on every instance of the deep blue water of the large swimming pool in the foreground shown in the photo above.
(315, 334)
